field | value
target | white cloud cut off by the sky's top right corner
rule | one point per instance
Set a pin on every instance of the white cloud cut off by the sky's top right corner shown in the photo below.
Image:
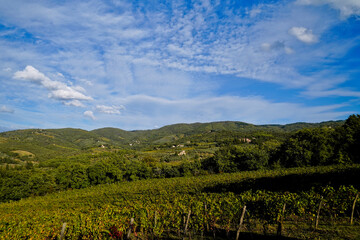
(347, 8)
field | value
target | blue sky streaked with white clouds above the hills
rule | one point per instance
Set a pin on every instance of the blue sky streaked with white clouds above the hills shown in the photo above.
(145, 64)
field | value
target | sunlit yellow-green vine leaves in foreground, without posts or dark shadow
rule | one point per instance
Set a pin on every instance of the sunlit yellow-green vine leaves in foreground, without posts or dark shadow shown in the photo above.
(104, 211)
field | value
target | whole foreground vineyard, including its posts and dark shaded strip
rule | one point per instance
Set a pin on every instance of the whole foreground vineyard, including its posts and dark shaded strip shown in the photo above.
(197, 207)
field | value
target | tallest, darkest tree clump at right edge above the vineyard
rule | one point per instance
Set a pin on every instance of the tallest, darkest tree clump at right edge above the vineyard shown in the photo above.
(322, 146)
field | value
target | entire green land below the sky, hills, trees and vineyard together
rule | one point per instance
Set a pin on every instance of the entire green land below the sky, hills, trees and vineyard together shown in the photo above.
(182, 181)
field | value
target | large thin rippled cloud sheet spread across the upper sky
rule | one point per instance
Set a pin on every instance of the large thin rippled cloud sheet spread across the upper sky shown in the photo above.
(183, 39)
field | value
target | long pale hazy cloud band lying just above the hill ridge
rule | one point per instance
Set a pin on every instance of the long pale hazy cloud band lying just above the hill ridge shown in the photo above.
(161, 111)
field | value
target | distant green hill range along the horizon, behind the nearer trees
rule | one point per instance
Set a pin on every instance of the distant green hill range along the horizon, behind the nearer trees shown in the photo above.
(50, 143)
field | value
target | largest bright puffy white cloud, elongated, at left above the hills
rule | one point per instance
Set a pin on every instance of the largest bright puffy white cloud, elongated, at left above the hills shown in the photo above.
(58, 90)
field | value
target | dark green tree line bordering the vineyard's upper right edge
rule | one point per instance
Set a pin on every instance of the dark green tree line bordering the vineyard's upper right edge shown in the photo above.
(307, 147)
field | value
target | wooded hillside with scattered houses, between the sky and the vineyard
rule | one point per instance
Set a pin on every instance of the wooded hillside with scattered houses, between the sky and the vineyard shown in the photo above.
(37, 162)
